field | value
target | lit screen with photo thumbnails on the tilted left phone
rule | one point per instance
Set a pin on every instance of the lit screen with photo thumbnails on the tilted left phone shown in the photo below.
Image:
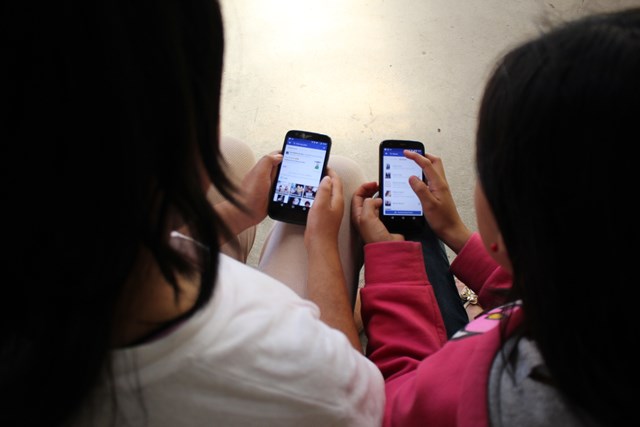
(300, 172)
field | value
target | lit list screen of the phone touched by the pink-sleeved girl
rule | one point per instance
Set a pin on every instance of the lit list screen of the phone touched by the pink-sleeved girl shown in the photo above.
(399, 200)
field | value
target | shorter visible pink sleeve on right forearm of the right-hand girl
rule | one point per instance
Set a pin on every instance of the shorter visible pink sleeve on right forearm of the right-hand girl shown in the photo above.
(476, 269)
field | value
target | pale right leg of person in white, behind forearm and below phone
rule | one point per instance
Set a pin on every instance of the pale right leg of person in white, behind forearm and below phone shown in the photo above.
(284, 256)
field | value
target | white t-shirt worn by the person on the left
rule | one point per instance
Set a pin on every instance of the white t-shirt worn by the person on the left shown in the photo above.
(255, 355)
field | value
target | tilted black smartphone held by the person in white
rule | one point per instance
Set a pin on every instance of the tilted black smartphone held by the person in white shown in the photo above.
(304, 163)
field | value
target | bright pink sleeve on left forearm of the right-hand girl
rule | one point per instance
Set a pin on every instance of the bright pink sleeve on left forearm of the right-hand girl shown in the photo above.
(400, 312)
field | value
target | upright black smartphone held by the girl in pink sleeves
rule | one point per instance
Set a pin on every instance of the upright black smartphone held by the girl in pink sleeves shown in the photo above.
(401, 210)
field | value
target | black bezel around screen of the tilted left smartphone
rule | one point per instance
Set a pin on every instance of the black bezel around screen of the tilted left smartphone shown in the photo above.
(286, 213)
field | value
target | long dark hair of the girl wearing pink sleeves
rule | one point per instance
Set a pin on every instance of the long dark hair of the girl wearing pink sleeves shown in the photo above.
(555, 155)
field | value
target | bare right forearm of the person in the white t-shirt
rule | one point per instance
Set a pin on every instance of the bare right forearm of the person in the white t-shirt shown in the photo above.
(326, 287)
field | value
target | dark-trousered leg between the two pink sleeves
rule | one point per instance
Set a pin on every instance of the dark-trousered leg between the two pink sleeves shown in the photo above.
(437, 266)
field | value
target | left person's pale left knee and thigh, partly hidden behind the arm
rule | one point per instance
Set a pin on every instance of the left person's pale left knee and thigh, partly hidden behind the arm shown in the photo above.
(240, 159)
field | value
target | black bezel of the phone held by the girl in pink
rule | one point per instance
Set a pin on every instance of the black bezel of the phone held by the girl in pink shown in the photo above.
(398, 224)
